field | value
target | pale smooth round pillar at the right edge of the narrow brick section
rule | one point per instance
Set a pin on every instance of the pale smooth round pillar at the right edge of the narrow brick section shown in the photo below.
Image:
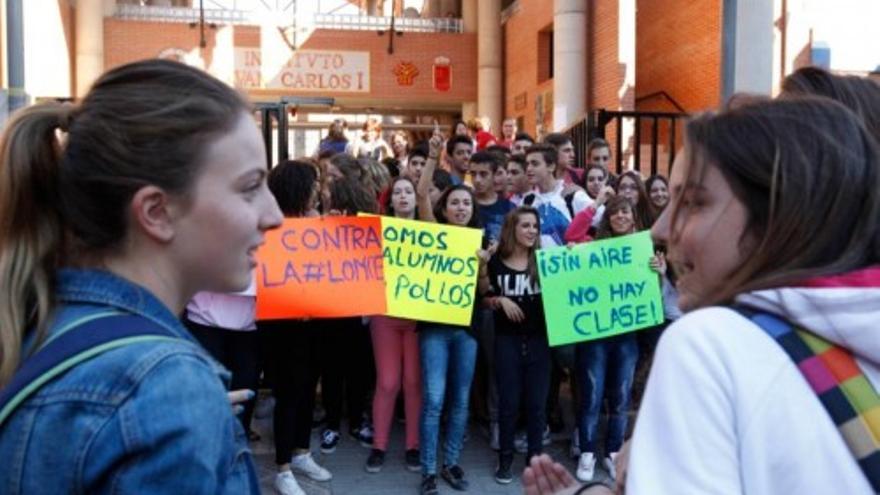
(569, 61)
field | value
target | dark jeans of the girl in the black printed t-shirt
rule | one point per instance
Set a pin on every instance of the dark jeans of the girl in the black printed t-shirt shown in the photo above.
(522, 367)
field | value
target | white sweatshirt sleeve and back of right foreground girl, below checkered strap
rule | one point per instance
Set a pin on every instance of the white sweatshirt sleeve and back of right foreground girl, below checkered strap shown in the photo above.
(727, 412)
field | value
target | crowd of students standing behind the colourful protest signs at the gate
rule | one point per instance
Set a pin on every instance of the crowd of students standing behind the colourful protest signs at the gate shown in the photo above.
(521, 202)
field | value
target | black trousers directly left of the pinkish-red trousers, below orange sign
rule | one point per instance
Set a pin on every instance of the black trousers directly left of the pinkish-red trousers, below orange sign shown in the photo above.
(347, 369)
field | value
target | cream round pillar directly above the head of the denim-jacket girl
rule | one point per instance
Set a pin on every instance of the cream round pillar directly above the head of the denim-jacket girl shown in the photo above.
(89, 43)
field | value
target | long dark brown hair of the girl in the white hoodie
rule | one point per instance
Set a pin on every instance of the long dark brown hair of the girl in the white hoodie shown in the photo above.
(808, 179)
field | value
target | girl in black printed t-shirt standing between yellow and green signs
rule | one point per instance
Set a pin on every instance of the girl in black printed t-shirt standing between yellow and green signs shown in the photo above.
(522, 354)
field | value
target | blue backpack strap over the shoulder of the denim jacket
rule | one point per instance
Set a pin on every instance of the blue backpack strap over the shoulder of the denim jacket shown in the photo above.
(81, 343)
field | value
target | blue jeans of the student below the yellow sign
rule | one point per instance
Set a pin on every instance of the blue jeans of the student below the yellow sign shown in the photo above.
(448, 354)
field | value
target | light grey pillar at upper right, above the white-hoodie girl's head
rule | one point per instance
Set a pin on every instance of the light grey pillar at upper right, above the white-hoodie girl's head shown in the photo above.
(747, 49)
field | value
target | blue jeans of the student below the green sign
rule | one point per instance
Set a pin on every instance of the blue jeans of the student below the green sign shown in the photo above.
(607, 364)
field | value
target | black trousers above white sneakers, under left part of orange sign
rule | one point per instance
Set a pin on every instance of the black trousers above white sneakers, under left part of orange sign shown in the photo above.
(293, 360)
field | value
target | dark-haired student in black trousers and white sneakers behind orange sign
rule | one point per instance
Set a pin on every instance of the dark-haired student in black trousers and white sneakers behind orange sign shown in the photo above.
(293, 347)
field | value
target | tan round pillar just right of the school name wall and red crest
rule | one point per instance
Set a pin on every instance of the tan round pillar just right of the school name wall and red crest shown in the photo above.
(490, 74)
